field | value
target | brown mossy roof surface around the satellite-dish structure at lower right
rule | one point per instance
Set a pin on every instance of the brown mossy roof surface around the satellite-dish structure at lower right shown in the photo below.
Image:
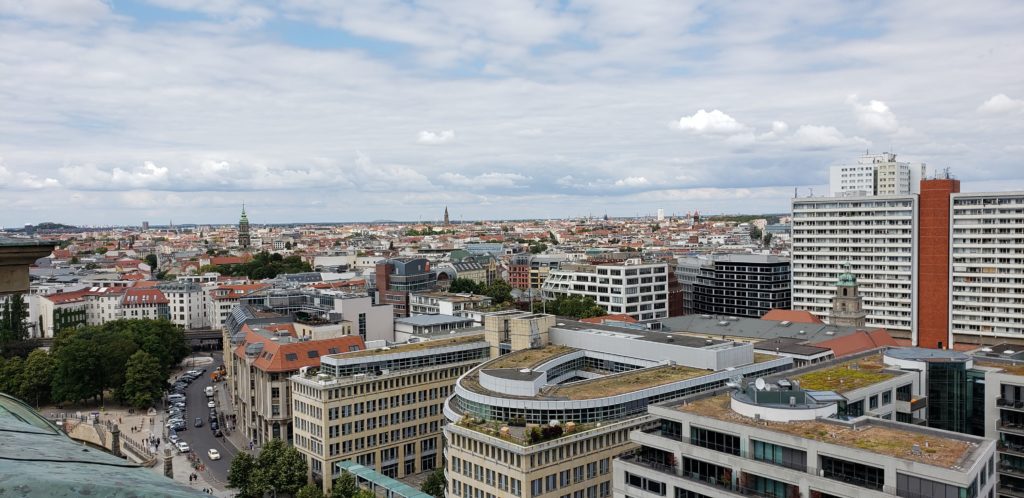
(869, 436)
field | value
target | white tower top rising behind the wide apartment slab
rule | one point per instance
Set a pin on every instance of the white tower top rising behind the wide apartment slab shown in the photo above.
(876, 175)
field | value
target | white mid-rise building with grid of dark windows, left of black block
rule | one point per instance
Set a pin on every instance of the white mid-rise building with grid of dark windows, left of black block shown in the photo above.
(632, 287)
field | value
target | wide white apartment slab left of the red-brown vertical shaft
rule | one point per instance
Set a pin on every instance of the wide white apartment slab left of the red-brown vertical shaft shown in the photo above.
(877, 235)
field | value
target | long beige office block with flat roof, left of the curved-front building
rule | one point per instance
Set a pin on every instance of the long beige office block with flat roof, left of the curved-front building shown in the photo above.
(380, 408)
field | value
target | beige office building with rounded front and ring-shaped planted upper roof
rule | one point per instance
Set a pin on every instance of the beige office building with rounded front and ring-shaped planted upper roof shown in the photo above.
(547, 419)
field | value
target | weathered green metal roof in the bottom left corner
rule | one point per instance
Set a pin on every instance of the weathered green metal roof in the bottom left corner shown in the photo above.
(39, 461)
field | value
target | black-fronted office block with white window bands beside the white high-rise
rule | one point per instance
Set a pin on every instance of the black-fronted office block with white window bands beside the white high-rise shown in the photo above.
(743, 285)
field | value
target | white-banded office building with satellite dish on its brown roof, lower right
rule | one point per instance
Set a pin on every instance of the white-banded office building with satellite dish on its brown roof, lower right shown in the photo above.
(783, 441)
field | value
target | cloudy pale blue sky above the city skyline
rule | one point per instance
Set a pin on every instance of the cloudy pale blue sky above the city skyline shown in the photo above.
(117, 112)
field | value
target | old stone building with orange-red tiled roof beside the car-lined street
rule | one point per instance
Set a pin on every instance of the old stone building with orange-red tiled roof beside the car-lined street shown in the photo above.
(265, 357)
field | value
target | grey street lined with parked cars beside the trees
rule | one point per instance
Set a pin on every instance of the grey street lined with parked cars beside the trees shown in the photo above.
(201, 439)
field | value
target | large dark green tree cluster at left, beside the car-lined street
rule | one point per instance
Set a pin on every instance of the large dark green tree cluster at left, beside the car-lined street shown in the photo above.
(133, 358)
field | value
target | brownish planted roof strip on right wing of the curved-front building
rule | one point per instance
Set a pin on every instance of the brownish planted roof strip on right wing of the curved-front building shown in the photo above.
(626, 383)
